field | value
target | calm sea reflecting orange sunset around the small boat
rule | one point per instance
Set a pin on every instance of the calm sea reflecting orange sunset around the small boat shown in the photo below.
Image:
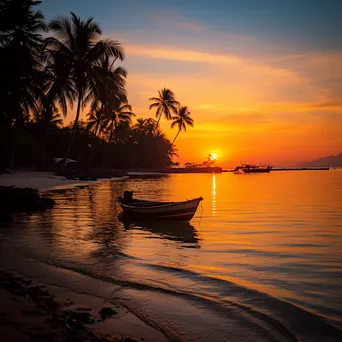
(261, 260)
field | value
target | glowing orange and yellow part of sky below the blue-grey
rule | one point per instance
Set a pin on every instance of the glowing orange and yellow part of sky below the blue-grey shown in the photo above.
(250, 109)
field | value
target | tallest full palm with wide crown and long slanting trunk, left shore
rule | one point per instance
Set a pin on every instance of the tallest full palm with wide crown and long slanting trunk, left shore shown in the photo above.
(79, 42)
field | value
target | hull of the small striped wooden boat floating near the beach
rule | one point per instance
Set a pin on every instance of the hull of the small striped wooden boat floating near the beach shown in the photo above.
(178, 211)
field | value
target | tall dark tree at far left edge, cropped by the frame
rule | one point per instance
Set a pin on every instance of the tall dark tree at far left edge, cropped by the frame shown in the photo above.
(21, 44)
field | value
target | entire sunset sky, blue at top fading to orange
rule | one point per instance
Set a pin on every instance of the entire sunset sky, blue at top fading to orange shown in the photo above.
(262, 78)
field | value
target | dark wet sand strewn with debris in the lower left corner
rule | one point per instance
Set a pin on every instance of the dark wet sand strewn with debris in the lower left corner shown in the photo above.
(31, 310)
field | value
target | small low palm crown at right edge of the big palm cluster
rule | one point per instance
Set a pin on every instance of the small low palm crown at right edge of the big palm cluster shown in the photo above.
(119, 112)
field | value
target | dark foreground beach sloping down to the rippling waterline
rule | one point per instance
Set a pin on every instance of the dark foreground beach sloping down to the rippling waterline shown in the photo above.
(46, 303)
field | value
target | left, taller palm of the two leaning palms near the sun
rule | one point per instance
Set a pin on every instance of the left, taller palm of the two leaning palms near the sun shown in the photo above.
(165, 104)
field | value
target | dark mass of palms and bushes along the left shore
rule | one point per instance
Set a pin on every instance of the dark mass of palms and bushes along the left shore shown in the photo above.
(47, 69)
